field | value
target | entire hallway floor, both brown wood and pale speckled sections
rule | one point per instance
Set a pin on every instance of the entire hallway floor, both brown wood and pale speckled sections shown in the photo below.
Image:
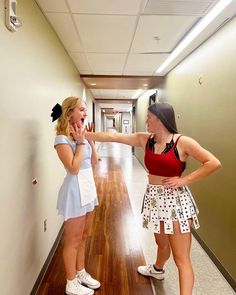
(118, 243)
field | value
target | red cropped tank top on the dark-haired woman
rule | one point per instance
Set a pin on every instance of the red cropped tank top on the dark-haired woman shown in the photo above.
(167, 164)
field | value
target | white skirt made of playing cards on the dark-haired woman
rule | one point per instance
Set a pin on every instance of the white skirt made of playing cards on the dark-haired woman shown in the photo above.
(165, 204)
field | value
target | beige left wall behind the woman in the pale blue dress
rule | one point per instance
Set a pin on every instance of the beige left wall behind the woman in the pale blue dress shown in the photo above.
(35, 74)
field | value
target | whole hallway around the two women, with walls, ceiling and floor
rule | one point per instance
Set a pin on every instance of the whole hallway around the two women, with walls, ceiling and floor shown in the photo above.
(108, 53)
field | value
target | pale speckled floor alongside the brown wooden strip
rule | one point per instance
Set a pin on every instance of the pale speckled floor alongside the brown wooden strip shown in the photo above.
(208, 280)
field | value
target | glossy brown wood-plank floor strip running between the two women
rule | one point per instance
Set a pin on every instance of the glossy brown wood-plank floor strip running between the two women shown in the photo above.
(113, 249)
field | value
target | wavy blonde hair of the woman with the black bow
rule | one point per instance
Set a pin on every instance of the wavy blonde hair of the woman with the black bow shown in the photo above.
(68, 105)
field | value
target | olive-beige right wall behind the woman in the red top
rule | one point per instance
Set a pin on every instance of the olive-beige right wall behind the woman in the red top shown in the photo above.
(207, 112)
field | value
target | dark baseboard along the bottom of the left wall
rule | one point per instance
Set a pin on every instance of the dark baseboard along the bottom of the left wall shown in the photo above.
(47, 263)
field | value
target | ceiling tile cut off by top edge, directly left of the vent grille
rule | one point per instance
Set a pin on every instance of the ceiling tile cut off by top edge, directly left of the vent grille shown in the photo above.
(130, 7)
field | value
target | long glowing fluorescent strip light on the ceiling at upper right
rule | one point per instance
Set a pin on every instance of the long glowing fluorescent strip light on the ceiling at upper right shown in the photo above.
(220, 6)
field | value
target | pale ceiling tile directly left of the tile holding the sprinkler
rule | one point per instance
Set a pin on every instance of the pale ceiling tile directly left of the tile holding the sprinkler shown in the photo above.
(108, 34)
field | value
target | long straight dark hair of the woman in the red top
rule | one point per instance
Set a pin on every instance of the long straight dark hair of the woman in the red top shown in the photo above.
(166, 114)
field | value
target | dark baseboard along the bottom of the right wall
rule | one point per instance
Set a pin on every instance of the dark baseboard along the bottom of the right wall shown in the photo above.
(215, 260)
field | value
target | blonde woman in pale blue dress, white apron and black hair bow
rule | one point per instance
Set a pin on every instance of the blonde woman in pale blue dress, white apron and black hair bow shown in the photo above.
(77, 197)
